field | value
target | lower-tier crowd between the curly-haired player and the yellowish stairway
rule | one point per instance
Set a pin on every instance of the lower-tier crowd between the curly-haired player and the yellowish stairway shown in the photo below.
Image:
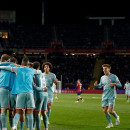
(72, 67)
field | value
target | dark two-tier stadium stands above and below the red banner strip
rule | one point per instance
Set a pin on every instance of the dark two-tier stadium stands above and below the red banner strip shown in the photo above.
(73, 36)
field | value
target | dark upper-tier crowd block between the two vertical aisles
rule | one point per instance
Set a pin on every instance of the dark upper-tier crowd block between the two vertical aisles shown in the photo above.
(80, 35)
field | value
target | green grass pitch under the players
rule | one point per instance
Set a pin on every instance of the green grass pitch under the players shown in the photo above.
(68, 115)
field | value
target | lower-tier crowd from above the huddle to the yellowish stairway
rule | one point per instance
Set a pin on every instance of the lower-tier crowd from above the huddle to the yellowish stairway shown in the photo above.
(67, 68)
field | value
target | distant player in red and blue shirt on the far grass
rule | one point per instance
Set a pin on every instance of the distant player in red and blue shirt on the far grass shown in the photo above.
(79, 90)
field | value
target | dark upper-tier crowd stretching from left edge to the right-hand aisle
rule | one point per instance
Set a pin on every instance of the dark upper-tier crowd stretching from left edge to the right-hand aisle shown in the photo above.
(41, 36)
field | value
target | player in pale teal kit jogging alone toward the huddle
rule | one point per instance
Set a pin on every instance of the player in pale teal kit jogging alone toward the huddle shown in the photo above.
(109, 81)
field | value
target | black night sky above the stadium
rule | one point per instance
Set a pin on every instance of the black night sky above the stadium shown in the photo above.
(63, 11)
